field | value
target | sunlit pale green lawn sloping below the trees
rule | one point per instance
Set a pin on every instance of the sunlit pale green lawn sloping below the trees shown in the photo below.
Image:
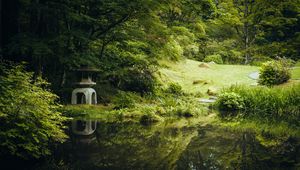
(194, 78)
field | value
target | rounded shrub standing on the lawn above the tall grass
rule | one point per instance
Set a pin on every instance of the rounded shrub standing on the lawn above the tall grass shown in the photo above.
(274, 73)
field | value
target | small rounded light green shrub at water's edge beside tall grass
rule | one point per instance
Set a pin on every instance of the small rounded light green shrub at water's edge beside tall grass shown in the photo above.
(230, 101)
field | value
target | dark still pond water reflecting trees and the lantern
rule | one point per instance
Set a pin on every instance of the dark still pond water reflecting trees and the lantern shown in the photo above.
(171, 145)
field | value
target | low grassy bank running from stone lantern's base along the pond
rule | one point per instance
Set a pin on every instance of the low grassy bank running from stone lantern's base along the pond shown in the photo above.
(151, 109)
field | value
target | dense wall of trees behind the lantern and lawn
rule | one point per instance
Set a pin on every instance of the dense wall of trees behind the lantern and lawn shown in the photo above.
(126, 37)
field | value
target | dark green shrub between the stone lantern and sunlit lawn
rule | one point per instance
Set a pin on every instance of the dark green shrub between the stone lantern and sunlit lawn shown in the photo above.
(127, 71)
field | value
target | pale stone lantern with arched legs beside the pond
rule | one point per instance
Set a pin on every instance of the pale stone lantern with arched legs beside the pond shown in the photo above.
(84, 93)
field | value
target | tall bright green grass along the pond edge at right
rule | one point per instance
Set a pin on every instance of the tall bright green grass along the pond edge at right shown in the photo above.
(277, 103)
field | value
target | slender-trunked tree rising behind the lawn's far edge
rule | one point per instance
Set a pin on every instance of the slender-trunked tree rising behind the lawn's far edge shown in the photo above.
(238, 14)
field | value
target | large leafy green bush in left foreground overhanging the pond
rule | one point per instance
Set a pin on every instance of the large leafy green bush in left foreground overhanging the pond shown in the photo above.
(29, 118)
